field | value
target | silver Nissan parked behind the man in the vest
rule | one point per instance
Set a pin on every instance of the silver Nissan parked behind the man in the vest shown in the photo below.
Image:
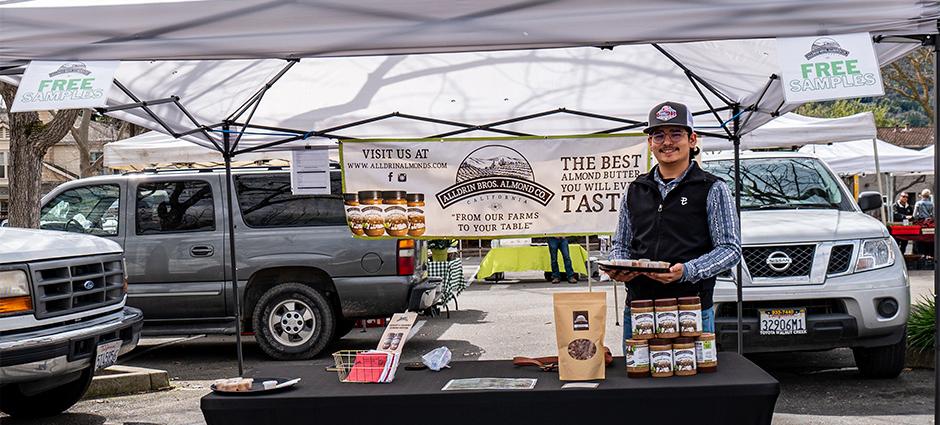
(818, 272)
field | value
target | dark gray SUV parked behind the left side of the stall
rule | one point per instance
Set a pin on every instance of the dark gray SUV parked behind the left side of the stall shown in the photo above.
(303, 278)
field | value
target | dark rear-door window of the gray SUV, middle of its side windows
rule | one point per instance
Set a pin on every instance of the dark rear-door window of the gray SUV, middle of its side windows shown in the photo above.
(174, 206)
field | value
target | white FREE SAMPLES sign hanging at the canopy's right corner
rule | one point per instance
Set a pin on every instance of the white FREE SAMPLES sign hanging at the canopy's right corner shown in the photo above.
(829, 67)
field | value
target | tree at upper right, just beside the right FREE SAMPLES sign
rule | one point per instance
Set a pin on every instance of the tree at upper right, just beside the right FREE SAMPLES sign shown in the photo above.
(912, 78)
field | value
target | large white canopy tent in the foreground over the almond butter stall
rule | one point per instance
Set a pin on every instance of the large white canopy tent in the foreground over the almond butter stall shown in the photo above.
(733, 83)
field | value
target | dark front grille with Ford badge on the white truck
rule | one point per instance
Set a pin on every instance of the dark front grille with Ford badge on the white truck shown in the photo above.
(68, 286)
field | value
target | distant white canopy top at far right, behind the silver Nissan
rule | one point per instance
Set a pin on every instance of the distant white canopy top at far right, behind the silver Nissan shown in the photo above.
(858, 157)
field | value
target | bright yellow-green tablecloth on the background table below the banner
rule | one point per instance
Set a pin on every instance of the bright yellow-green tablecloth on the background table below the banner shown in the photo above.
(525, 258)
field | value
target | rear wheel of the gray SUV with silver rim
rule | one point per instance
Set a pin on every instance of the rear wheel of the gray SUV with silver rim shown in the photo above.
(307, 322)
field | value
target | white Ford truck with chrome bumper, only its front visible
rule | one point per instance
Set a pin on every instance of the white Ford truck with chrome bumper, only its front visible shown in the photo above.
(62, 316)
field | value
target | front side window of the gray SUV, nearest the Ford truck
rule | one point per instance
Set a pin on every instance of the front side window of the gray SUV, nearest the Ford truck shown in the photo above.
(92, 209)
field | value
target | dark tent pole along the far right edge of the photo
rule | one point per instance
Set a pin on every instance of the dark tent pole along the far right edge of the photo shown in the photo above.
(936, 213)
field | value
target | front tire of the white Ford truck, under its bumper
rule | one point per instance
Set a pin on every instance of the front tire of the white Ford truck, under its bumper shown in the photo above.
(47, 403)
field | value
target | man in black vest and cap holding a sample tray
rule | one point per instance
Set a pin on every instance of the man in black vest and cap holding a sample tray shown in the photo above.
(676, 213)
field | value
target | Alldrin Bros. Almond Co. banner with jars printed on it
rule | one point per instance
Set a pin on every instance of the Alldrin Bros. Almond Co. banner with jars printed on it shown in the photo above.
(491, 187)
